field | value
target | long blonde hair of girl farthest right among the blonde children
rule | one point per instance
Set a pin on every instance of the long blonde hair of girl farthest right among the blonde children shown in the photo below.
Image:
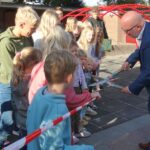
(82, 42)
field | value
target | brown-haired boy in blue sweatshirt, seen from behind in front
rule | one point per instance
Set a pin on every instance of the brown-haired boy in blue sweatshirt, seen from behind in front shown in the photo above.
(51, 104)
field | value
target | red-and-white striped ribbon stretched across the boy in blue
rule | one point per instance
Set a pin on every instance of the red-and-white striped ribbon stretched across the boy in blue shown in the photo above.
(25, 140)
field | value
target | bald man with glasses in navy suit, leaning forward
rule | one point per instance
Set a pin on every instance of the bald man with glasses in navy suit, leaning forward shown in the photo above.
(134, 25)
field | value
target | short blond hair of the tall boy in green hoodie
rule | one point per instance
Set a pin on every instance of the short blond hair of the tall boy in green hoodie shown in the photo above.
(26, 14)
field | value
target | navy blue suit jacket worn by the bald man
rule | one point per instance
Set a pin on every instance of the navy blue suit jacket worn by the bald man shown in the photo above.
(143, 55)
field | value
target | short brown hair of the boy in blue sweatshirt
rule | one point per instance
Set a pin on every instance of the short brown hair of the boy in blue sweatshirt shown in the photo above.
(58, 65)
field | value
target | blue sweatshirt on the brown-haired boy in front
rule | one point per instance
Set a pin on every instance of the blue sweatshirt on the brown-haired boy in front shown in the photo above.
(46, 107)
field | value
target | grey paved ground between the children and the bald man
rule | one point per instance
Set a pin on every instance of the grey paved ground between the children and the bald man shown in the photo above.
(122, 120)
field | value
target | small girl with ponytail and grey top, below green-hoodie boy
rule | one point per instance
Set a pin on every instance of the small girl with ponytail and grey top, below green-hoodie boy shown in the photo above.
(23, 63)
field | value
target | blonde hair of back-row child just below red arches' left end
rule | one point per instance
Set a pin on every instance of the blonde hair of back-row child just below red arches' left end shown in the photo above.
(70, 24)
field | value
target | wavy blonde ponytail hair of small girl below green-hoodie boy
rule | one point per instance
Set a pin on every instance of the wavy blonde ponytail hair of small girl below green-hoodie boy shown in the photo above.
(27, 58)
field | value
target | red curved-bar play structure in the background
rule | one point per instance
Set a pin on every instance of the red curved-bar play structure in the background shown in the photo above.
(117, 10)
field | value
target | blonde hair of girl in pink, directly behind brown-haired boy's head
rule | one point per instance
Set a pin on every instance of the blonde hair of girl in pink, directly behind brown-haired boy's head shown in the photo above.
(58, 39)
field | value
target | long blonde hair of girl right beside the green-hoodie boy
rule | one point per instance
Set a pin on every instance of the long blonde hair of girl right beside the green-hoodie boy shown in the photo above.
(49, 20)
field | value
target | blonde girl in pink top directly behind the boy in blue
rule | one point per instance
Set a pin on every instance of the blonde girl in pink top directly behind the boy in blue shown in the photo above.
(59, 39)
